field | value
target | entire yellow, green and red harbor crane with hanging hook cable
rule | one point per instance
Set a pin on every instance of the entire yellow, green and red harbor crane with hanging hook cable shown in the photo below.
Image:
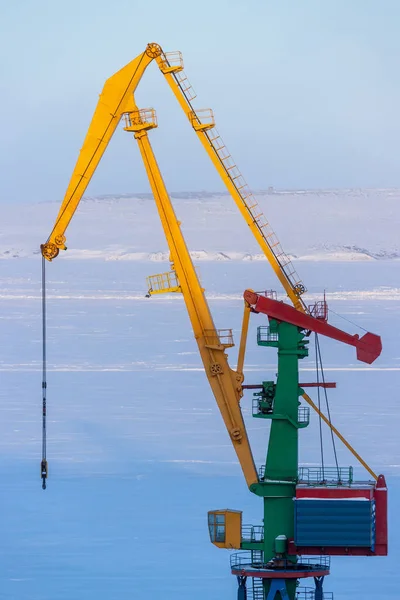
(321, 511)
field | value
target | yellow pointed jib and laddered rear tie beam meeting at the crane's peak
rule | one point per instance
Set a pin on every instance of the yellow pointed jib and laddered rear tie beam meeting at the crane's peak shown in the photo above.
(117, 99)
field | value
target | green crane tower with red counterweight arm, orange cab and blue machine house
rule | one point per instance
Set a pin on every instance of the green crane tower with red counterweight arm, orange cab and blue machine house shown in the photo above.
(307, 511)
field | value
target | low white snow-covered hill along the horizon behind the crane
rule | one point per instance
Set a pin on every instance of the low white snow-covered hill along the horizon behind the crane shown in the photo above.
(311, 225)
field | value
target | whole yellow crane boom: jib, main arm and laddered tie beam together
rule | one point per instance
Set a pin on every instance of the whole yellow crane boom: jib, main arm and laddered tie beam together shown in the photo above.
(117, 100)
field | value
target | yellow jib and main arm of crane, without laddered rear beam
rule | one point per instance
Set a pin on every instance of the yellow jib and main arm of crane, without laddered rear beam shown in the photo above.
(117, 100)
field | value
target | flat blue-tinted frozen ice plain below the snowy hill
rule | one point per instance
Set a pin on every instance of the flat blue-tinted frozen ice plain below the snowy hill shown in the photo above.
(136, 447)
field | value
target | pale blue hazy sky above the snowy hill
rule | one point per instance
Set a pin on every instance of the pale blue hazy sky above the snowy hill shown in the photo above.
(305, 93)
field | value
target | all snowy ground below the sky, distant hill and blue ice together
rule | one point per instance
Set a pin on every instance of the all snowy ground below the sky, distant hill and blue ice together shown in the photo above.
(136, 447)
